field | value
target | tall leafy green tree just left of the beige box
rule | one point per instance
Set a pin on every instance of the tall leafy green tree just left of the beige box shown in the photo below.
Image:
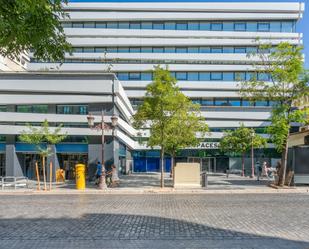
(164, 108)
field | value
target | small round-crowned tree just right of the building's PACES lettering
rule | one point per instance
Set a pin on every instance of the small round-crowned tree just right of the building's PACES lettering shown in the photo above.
(240, 141)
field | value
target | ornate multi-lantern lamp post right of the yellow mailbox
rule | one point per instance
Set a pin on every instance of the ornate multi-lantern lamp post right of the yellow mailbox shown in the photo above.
(102, 126)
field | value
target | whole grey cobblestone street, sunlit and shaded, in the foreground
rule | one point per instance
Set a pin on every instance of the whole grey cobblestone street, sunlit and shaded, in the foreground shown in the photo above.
(155, 221)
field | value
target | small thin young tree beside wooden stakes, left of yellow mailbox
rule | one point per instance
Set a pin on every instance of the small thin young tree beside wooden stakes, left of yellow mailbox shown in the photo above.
(40, 136)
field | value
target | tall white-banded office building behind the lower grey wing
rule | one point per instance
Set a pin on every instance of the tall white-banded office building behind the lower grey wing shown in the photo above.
(205, 47)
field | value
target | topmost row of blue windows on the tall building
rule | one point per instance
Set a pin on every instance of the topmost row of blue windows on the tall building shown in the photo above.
(250, 26)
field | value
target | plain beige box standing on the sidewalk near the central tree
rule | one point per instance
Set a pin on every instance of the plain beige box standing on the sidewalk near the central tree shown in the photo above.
(187, 175)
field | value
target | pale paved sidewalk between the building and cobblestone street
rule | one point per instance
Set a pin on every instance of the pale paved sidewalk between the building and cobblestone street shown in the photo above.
(149, 183)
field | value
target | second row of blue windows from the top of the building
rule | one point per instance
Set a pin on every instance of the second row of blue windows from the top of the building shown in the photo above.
(195, 49)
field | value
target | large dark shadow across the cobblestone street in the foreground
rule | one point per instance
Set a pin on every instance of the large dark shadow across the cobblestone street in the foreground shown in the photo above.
(129, 231)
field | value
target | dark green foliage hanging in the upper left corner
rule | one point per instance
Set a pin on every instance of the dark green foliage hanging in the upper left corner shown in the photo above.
(33, 24)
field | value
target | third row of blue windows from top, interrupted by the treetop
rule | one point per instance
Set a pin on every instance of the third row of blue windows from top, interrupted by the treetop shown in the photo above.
(198, 76)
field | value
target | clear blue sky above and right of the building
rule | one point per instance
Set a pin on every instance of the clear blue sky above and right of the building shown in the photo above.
(303, 25)
